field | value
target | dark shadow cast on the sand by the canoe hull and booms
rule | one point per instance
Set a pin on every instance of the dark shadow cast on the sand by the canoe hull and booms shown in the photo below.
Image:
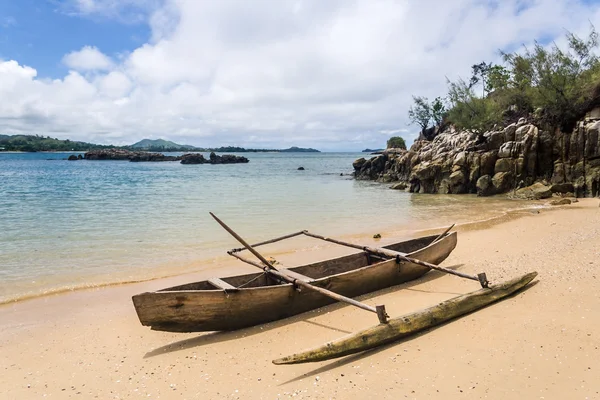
(218, 337)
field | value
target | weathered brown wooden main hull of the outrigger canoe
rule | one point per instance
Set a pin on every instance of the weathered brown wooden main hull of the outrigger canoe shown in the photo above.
(187, 309)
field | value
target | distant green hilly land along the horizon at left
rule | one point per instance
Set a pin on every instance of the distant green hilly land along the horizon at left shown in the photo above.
(34, 143)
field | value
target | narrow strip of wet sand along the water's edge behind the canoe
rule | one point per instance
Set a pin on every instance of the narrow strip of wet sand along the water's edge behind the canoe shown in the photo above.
(207, 263)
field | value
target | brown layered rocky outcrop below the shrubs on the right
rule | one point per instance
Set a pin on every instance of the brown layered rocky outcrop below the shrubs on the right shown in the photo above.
(499, 161)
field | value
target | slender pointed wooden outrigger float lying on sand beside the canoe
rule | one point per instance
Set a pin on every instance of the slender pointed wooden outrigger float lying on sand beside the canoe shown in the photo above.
(409, 324)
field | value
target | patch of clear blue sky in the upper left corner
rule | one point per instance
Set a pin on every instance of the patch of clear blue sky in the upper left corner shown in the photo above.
(40, 32)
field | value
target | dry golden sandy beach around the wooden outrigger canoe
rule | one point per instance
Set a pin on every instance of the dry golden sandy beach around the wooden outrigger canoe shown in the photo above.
(543, 343)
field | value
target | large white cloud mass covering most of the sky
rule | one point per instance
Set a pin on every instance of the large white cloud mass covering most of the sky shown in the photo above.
(328, 74)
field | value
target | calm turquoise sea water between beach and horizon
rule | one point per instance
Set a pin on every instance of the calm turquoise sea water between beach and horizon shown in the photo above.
(71, 224)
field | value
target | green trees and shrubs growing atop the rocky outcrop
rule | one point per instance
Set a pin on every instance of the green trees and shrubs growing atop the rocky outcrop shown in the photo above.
(553, 84)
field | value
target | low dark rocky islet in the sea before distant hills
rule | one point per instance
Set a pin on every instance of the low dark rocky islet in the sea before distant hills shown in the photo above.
(144, 156)
